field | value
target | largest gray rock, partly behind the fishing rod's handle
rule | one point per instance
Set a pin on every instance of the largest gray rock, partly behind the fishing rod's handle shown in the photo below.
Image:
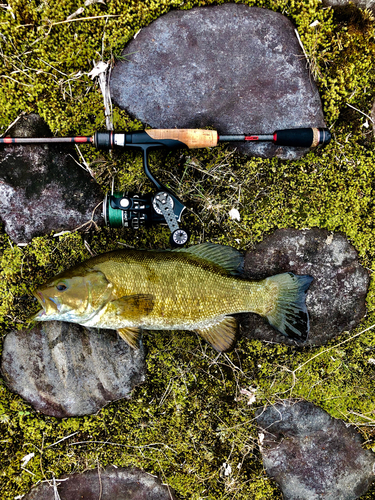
(235, 68)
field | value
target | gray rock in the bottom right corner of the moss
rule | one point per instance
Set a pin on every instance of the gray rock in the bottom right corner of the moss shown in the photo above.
(312, 455)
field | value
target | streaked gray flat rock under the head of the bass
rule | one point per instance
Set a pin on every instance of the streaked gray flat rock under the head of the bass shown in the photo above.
(66, 370)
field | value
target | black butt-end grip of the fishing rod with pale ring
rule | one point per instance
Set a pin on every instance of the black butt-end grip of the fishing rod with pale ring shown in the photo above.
(303, 137)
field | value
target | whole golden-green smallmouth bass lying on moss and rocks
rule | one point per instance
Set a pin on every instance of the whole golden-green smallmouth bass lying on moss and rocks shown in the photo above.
(196, 288)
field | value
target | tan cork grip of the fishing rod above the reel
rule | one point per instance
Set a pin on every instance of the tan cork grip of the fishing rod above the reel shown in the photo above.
(192, 138)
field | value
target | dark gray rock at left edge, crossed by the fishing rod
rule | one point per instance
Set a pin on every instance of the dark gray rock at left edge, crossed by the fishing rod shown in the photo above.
(42, 188)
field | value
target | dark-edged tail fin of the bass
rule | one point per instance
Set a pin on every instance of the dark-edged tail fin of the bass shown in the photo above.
(289, 316)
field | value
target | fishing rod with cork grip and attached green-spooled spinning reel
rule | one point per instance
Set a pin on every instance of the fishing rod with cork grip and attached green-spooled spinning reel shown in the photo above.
(123, 210)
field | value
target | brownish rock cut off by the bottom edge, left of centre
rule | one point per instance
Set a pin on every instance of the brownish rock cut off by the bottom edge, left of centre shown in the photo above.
(109, 484)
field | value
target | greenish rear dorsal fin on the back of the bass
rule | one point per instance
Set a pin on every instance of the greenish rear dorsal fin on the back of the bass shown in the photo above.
(226, 257)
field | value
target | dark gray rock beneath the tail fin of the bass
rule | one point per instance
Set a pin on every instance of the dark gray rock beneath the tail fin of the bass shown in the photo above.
(336, 297)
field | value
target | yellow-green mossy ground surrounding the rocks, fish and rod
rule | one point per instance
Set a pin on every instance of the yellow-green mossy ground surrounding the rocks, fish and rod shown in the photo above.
(190, 418)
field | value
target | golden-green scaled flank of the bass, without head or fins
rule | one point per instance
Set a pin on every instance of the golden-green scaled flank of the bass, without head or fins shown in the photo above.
(187, 291)
